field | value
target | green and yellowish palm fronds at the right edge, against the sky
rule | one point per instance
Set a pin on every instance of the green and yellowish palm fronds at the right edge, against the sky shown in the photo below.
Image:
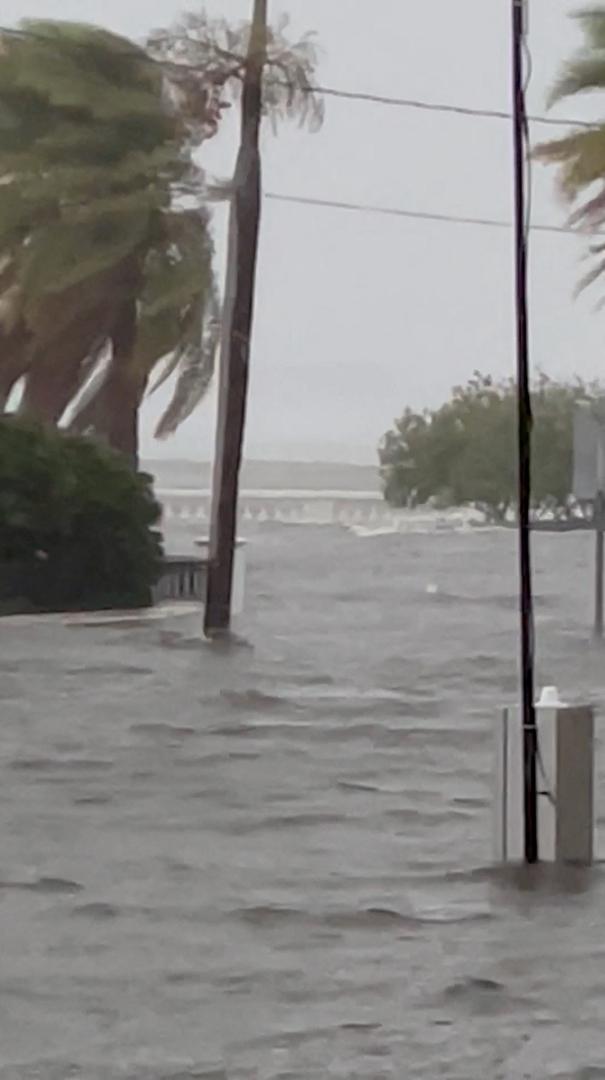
(580, 157)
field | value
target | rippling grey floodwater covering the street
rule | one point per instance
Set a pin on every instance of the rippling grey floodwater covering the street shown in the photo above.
(272, 861)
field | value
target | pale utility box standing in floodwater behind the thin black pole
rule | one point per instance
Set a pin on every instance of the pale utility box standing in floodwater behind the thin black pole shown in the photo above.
(566, 784)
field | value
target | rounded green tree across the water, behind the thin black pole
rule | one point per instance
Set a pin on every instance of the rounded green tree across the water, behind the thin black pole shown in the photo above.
(465, 452)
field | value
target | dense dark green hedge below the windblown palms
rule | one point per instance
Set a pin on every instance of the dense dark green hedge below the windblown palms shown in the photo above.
(77, 526)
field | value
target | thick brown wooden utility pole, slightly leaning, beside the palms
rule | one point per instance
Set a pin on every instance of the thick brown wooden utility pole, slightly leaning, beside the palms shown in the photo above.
(238, 316)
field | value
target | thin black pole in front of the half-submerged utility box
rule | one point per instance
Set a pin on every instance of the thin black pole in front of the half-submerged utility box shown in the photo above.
(525, 427)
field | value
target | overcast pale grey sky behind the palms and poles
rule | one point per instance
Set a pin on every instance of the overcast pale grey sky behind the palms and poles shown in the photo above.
(360, 316)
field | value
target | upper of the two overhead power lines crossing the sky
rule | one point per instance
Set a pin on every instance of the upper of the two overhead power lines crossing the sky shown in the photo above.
(351, 96)
